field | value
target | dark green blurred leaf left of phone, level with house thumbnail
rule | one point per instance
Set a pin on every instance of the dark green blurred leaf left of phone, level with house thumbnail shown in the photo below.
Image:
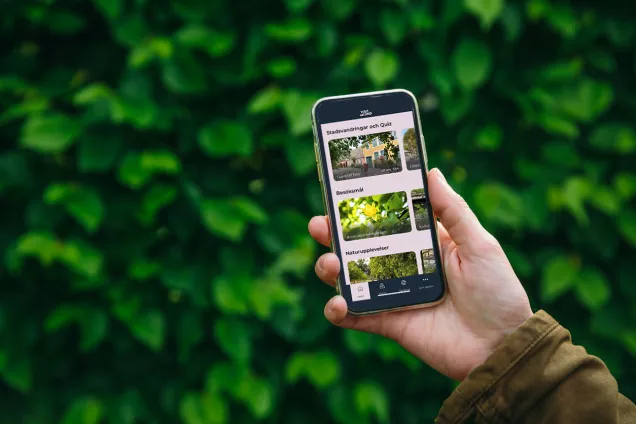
(226, 138)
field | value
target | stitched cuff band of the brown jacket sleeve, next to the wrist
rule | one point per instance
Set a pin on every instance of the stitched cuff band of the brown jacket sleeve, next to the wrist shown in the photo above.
(485, 391)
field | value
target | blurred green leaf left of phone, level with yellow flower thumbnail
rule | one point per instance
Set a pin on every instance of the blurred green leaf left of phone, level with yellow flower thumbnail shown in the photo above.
(220, 218)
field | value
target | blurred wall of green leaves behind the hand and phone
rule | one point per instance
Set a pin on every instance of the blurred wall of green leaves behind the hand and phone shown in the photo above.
(157, 175)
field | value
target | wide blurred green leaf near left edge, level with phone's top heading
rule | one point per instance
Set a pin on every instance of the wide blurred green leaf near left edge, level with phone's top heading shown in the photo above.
(51, 133)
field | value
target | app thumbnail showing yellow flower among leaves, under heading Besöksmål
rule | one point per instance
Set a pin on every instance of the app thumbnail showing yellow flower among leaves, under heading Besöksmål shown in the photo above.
(374, 216)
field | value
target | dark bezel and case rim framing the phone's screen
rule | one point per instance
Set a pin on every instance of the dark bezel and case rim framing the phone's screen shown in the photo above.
(384, 101)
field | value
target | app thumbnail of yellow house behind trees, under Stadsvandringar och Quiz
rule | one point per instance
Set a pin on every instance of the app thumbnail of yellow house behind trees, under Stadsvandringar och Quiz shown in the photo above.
(365, 156)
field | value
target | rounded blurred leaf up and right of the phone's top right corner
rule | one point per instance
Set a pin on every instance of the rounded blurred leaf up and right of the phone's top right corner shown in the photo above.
(471, 62)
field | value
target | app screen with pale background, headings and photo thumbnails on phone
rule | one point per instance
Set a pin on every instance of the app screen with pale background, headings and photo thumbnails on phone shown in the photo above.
(381, 210)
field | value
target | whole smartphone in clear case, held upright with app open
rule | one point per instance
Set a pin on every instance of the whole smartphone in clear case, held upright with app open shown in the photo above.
(372, 167)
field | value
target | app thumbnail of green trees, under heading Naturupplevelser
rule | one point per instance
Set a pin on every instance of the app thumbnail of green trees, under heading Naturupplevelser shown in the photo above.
(385, 267)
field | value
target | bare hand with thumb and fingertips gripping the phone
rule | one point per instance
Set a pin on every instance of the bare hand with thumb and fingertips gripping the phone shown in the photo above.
(486, 301)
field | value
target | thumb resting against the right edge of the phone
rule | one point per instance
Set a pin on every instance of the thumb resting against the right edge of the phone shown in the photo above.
(454, 213)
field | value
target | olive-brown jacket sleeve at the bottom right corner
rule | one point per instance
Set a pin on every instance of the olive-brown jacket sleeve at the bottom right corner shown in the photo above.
(536, 376)
